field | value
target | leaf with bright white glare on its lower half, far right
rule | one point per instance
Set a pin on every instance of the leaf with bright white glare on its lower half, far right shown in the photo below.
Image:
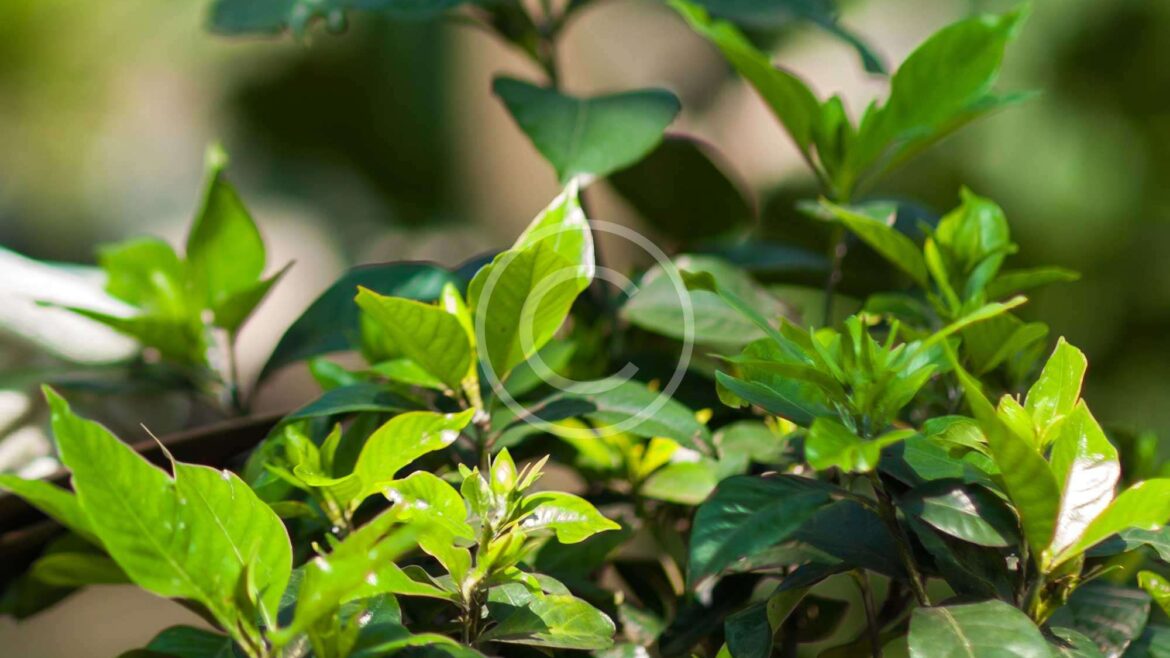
(1088, 470)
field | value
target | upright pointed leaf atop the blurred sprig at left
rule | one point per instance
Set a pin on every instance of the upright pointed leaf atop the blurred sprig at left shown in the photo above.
(225, 251)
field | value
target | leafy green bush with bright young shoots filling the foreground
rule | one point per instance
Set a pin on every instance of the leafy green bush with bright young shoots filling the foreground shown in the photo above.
(813, 479)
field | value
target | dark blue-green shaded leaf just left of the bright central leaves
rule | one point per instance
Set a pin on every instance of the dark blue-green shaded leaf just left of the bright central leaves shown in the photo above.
(333, 321)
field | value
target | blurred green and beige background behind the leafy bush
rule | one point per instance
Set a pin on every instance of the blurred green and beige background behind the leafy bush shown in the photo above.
(387, 145)
